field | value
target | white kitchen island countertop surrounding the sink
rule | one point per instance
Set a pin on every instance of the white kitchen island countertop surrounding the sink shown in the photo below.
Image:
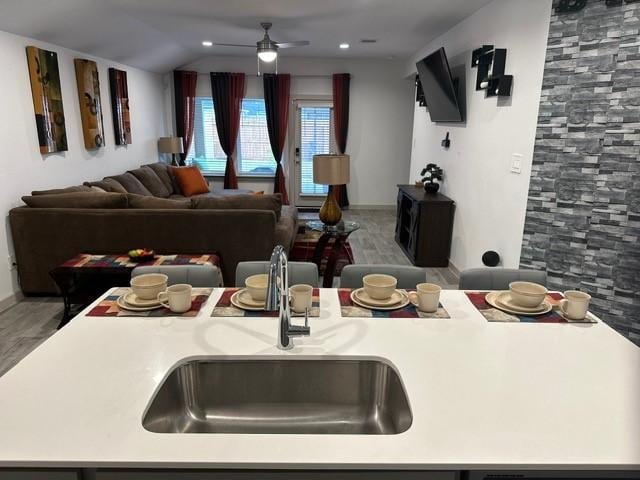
(483, 395)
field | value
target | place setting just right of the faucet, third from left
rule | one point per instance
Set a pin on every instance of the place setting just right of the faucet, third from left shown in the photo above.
(379, 297)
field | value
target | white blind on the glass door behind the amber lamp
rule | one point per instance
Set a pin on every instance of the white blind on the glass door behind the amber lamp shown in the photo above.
(316, 137)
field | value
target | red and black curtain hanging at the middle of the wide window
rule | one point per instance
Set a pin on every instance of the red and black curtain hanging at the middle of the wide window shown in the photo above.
(227, 91)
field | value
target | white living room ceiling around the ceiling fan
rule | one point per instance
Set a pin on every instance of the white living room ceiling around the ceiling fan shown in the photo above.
(160, 35)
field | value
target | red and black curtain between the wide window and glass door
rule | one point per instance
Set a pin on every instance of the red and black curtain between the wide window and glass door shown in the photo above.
(276, 99)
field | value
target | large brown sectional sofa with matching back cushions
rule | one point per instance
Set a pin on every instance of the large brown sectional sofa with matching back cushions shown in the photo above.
(144, 209)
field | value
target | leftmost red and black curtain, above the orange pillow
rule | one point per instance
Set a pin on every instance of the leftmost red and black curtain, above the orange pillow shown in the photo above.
(184, 85)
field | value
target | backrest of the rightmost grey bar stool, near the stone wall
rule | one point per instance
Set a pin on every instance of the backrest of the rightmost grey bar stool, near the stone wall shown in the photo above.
(498, 278)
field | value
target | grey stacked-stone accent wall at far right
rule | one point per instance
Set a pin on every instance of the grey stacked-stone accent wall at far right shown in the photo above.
(583, 214)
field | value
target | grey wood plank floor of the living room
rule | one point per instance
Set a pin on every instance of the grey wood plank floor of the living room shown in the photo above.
(30, 322)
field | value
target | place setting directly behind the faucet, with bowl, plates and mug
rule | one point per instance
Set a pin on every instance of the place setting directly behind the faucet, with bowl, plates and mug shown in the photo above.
(250, 300)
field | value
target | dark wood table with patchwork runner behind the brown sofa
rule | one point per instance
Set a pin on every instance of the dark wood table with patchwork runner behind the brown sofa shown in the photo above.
(86, 276)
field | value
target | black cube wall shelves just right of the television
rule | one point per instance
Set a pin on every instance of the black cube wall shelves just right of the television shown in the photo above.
(491, 76)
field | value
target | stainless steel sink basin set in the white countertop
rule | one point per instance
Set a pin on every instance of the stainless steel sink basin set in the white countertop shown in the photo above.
(340, 396)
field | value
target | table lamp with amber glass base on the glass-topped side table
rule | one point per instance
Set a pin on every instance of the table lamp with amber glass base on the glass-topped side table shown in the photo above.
(330, 170)
